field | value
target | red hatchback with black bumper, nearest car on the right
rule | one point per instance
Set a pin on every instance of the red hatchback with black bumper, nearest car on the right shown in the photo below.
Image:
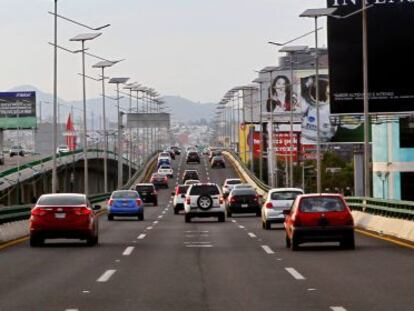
(319, 218)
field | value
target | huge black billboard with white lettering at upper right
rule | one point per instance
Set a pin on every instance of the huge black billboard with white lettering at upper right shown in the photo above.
(390, 54)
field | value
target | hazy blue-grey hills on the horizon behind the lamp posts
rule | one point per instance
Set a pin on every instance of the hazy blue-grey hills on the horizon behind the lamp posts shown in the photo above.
(181, 109)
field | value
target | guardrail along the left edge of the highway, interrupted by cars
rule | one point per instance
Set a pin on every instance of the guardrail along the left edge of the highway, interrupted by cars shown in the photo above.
(21, 212)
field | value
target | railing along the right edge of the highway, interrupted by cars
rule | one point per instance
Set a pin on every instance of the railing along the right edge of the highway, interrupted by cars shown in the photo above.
(380, 207)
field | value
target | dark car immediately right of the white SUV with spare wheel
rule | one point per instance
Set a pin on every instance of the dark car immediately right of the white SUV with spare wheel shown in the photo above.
(242, 201)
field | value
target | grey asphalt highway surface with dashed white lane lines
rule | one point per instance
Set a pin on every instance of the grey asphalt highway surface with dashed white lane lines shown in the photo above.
(163, 263)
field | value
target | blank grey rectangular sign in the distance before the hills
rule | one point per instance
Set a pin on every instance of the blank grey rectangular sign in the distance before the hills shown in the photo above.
(148, 120)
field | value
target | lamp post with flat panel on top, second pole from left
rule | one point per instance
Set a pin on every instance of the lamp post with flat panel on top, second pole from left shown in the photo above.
(82, 38)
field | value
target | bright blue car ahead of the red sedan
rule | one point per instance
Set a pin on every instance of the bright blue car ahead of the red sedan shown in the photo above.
(125, 203)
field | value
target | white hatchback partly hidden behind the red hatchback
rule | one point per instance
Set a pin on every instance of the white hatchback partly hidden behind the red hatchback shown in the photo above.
(277, 201)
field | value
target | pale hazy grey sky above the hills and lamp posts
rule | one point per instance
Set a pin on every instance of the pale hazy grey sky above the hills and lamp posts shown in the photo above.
(197, 49)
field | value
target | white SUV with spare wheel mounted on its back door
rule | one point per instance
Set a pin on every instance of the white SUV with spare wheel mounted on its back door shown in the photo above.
(204, 200)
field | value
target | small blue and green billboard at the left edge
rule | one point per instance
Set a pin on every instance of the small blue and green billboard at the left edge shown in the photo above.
(17, 110)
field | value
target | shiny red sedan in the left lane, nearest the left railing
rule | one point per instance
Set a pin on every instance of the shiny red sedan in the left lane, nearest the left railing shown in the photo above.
(66, 215)
